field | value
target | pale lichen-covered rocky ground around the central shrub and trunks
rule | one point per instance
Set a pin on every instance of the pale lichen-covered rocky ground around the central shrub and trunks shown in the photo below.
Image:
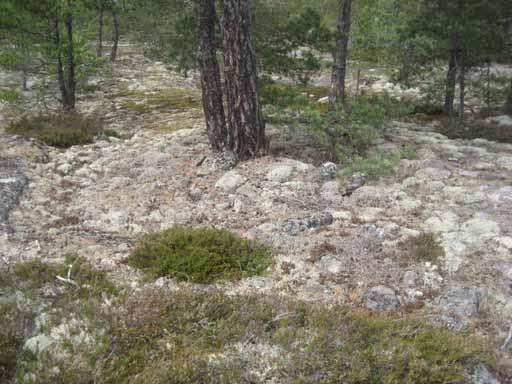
(96, 200)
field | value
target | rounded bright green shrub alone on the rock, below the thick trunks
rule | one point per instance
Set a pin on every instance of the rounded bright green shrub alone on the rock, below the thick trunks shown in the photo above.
(199, 255)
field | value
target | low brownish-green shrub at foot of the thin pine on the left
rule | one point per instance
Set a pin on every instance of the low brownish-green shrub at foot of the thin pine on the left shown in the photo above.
(57, 130)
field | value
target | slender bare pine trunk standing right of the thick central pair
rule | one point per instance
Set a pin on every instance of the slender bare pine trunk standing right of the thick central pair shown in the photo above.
(339, 70)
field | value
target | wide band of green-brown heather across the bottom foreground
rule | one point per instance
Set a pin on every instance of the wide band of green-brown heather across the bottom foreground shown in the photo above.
(152, 336)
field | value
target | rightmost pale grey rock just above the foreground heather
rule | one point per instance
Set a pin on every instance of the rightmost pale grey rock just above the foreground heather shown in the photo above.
(461, 301)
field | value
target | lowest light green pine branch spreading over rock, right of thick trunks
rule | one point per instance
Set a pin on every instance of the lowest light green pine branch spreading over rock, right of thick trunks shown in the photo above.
(375, 165)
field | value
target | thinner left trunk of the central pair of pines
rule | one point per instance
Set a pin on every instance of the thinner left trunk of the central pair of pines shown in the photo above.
(210, 77)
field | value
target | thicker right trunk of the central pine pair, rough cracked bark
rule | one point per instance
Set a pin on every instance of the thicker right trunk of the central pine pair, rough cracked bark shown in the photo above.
(245, 121)
